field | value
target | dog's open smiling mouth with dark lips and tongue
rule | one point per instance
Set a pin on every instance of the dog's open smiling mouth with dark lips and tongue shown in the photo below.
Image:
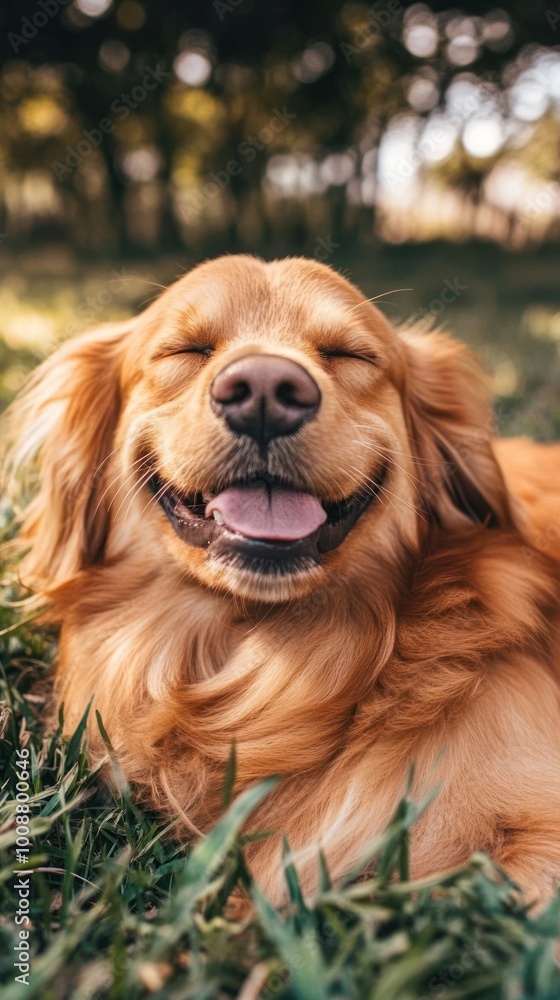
(272, 526)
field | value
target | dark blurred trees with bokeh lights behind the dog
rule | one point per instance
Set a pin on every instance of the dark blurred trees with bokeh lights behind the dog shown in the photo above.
(129, 126)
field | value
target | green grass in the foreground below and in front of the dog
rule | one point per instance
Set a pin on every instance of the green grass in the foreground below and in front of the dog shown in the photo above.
(118, 910)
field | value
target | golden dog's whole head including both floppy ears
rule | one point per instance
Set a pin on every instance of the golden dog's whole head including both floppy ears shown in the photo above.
(263, 426)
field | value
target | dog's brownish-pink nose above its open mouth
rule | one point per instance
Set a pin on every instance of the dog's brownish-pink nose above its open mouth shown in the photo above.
(265, 396)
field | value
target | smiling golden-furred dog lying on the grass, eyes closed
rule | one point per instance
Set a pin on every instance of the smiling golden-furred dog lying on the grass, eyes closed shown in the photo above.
(264, 517)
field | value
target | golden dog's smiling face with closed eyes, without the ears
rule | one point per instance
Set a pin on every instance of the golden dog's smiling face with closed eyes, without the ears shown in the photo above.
(265, 416)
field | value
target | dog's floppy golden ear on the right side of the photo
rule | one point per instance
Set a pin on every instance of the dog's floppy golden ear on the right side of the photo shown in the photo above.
(451, 428)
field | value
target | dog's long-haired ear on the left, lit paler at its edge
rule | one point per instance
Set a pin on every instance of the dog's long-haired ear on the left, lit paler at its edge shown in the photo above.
(62, 428)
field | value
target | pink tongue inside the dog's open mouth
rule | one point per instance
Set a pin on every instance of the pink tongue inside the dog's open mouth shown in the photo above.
(268, 512)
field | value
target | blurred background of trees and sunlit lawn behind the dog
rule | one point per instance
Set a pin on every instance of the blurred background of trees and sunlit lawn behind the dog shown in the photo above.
(413, 147)
